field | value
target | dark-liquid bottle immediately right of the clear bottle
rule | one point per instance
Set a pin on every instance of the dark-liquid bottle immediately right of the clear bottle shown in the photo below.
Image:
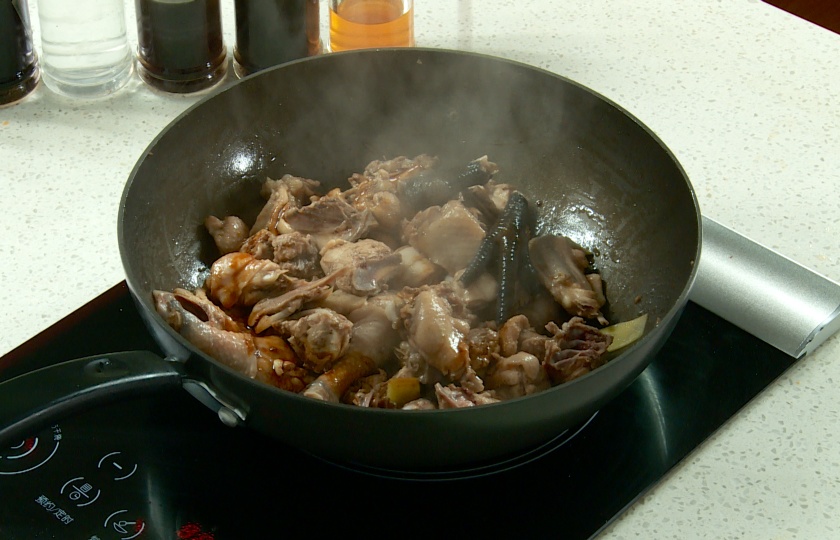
(180, 44)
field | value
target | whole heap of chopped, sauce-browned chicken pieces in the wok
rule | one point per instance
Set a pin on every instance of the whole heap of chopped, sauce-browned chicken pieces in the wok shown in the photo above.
(385, 294)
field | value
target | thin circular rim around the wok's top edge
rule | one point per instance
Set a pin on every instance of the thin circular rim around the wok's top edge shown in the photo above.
(648, 340)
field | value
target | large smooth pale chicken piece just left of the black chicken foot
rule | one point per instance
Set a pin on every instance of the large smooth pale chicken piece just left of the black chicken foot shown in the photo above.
(447, 235)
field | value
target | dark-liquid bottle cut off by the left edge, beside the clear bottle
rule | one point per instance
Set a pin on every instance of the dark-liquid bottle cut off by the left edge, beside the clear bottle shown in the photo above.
(19, 72)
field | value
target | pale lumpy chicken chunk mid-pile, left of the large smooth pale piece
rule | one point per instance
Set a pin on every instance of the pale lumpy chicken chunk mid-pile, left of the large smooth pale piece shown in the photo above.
(368, 265)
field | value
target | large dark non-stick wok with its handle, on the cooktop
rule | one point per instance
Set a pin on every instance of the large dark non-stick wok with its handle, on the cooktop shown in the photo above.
(597, 174)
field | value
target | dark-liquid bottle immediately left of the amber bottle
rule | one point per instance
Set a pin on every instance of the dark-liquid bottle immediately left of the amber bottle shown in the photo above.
(271, 32)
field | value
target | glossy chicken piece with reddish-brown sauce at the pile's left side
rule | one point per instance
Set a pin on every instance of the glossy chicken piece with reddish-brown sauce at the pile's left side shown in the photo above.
(240, 279)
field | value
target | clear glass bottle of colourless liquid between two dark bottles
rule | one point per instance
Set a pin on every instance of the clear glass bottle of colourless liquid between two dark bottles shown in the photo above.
(84, 46)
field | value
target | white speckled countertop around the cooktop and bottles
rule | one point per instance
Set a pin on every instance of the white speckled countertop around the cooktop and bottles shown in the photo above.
(747, 97)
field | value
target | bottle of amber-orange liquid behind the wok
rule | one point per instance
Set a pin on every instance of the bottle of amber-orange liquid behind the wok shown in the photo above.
(361, 24)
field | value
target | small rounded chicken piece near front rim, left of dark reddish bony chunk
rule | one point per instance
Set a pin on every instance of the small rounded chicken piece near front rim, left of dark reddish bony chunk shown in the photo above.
(517, 375)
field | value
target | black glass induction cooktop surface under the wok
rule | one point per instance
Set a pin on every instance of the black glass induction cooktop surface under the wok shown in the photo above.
(163, 466)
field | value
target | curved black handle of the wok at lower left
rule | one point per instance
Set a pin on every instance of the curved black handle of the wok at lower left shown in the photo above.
(30, 402)
